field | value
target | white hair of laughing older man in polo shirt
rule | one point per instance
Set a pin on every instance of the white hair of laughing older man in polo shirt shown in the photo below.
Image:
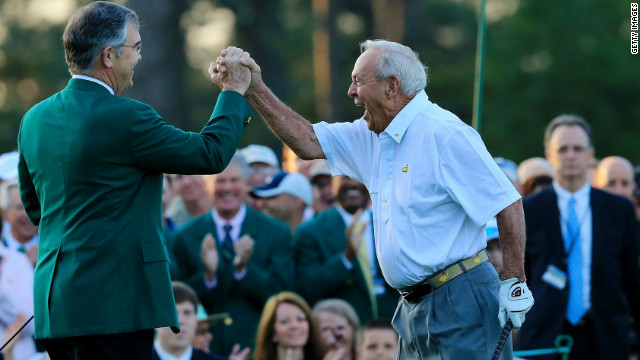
(398, 60)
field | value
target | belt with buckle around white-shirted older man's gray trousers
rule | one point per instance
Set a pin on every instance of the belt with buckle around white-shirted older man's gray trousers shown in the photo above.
(414, 293)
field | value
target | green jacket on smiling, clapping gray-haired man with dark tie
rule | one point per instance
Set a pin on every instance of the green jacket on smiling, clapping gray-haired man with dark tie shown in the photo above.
(269, 272)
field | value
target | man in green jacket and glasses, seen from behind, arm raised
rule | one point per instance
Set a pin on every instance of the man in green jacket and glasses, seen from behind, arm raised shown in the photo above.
(90, 170)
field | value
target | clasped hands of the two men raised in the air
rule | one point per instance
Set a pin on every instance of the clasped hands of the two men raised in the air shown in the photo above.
(230, 74)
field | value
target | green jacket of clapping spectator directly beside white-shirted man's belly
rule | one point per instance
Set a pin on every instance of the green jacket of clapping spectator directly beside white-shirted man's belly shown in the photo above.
(321, 273)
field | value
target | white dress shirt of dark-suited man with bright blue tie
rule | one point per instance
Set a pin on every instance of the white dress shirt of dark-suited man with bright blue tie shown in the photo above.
(583, 210)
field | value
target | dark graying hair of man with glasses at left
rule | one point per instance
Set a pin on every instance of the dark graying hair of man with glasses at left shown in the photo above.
(91, 29)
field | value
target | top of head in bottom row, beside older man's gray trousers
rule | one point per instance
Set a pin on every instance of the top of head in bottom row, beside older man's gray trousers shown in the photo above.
(377, 340)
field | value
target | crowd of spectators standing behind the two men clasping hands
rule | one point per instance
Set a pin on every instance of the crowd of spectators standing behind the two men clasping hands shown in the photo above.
(268, 264)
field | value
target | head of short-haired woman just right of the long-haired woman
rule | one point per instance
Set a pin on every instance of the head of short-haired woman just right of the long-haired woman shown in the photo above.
(339, 325)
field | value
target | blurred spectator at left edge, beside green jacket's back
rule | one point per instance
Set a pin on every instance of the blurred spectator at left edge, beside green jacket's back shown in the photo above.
(22, 235)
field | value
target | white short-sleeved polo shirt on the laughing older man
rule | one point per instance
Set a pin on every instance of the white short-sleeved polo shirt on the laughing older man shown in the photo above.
(433, 185)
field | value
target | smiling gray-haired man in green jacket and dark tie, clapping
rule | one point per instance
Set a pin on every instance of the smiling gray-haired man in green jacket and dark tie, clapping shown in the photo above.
(234, 257)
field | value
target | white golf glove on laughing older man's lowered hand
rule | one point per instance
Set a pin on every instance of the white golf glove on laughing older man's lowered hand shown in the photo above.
(515, 301)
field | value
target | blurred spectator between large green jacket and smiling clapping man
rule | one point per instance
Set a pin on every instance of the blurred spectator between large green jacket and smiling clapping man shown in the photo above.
(190, 198)
